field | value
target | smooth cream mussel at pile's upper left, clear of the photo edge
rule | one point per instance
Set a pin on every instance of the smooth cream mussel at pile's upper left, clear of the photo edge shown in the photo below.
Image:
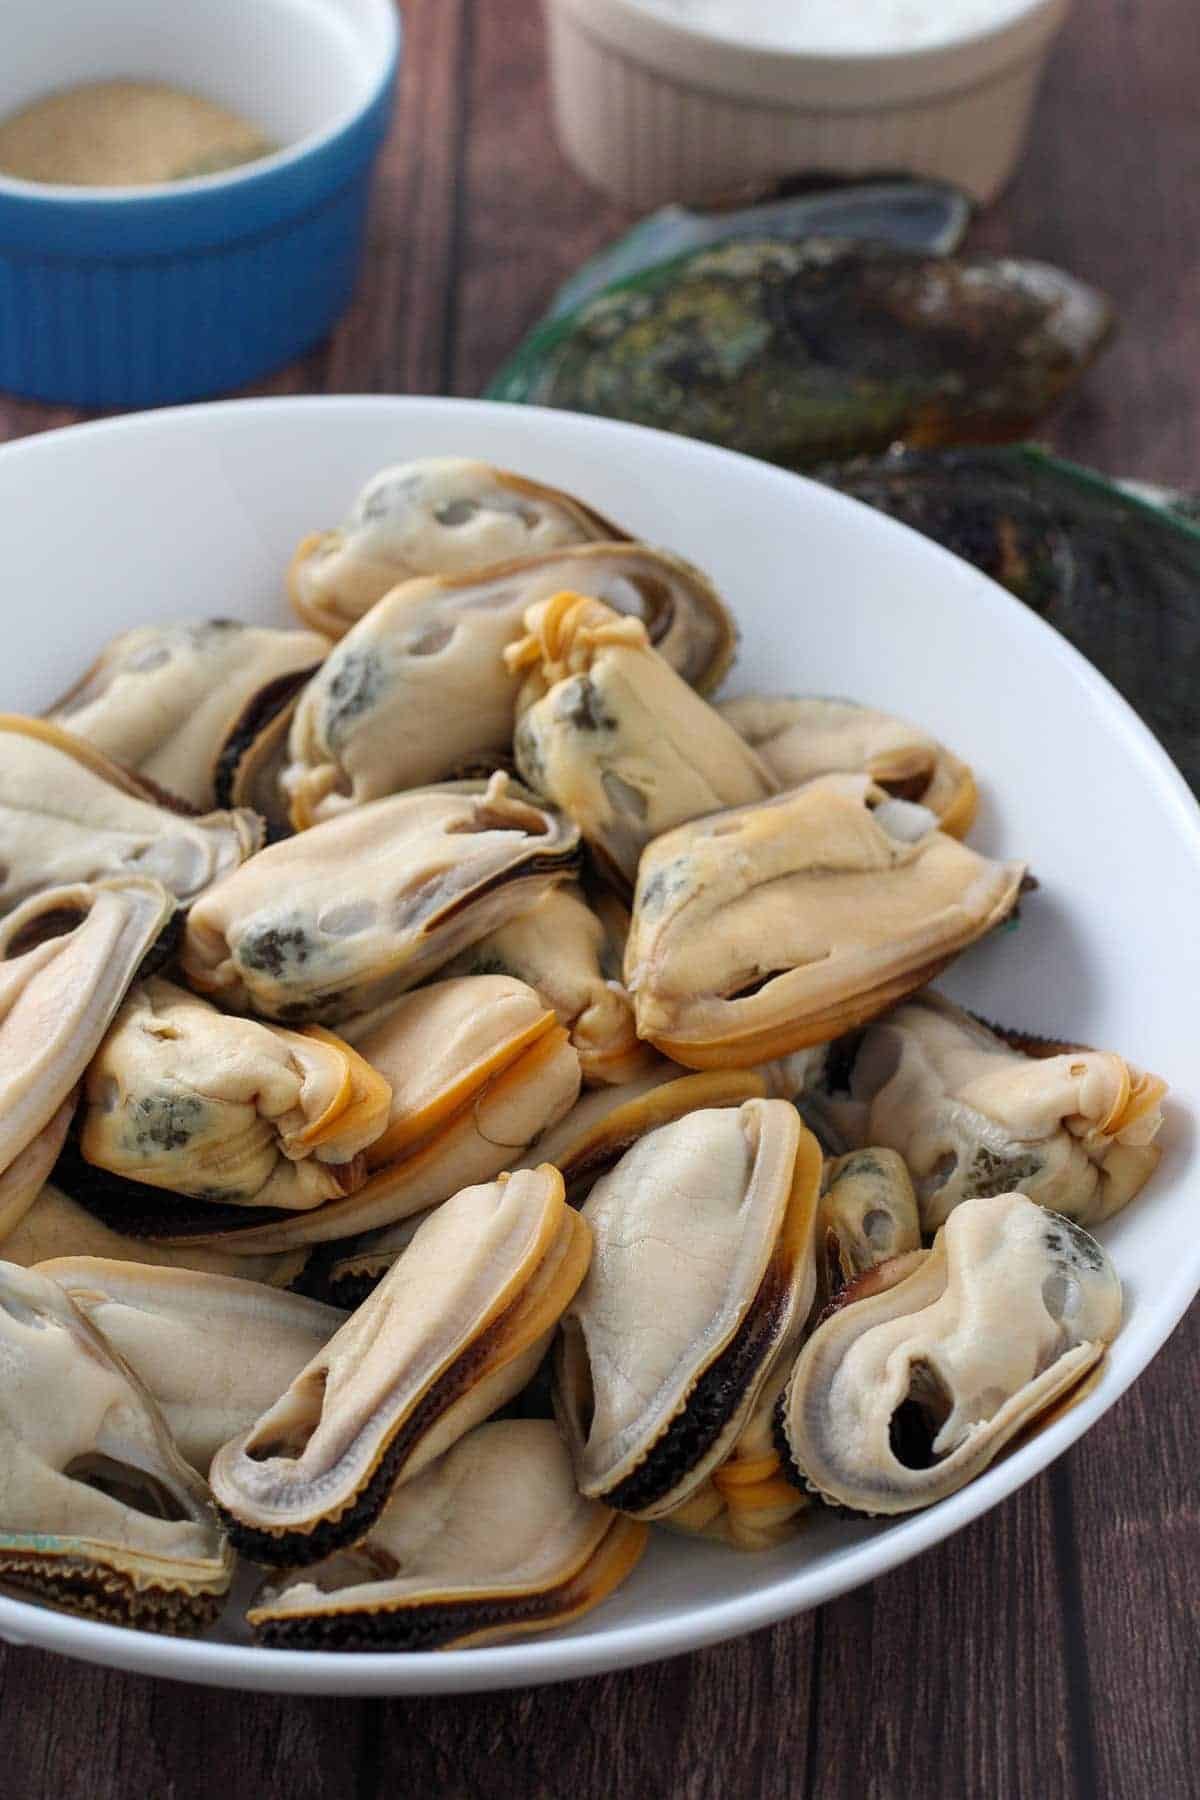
(181, 703)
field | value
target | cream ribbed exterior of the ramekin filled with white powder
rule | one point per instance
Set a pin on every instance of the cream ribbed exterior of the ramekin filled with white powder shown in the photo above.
(654, 111)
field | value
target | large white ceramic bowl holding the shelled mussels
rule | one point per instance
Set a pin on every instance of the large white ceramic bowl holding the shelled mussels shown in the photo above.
(197, 512)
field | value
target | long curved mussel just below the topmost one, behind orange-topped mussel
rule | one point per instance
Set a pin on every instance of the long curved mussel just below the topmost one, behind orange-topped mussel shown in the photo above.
(418, 690)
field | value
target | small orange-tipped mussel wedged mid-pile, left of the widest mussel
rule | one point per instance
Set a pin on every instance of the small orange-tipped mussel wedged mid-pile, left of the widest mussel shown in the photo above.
(562, 949)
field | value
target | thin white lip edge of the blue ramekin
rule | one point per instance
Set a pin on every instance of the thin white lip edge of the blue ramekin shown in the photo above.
(244, 175)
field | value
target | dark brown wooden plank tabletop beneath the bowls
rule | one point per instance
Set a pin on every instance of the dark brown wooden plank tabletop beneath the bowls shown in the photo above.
(1052, 1648)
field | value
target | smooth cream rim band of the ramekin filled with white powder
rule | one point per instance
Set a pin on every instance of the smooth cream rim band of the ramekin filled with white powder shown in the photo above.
(827, 82)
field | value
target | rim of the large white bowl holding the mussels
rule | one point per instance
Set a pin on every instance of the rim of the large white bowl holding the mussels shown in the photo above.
(706, 1623)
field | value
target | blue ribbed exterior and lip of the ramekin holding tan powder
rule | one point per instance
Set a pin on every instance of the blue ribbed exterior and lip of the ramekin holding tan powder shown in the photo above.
(145, 296)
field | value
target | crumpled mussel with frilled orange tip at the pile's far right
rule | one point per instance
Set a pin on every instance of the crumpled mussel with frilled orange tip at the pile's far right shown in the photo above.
(974, 1113)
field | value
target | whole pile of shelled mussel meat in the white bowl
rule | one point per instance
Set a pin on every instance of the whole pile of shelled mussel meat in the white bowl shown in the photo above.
(469, 1099)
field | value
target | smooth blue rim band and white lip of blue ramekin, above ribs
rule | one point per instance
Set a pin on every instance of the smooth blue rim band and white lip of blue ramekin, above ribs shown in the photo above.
(111, 226)
